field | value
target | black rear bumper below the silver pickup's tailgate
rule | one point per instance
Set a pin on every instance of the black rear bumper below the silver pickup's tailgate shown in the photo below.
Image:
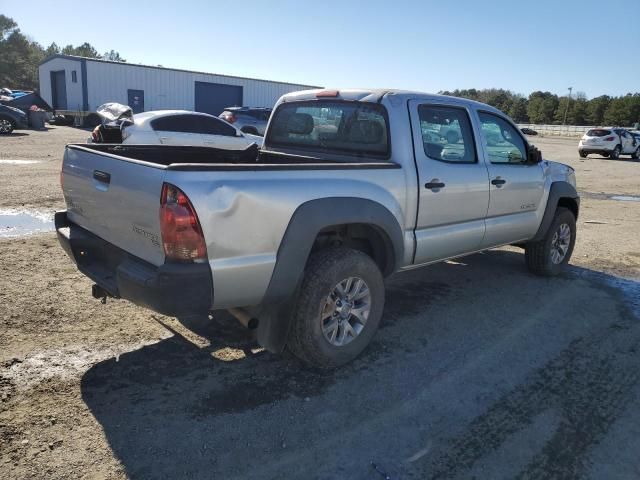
(173, 289)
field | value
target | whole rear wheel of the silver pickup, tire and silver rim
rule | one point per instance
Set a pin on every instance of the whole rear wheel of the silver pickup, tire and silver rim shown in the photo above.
(338, 309)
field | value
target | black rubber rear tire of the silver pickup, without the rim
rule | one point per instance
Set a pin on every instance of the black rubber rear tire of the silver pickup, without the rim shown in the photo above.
(322, 274)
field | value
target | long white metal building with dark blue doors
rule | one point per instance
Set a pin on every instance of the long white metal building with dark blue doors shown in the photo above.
(78, 85)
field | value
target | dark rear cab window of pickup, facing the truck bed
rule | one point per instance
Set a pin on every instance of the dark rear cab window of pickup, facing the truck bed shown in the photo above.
(359, 129)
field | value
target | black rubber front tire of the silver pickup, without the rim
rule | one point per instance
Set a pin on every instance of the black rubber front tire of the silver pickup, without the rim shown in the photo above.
(538, 255)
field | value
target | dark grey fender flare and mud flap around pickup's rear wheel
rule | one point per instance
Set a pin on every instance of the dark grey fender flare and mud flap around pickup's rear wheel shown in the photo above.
(305, 224)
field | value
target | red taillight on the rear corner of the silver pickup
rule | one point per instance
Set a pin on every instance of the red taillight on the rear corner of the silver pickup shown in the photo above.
(182, 237)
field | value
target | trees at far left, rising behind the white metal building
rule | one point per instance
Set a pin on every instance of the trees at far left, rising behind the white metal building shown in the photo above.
(20, 56)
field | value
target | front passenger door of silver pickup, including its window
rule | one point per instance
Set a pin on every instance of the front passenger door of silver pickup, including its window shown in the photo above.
(516, 186)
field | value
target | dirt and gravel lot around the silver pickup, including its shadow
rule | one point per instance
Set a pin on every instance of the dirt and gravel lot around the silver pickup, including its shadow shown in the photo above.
(480, 370)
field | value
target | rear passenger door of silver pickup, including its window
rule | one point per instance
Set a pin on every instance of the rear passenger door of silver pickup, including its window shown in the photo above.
(453, 182)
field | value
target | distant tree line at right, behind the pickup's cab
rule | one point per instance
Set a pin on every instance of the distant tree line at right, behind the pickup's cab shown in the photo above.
(550, 109)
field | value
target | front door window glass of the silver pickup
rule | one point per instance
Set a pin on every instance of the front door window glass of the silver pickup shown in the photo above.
(502, 143)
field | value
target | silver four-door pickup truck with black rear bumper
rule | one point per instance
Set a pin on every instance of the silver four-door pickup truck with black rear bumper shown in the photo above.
(296, 239)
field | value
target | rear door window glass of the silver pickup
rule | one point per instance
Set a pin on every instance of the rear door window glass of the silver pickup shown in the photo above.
(446, 134)
